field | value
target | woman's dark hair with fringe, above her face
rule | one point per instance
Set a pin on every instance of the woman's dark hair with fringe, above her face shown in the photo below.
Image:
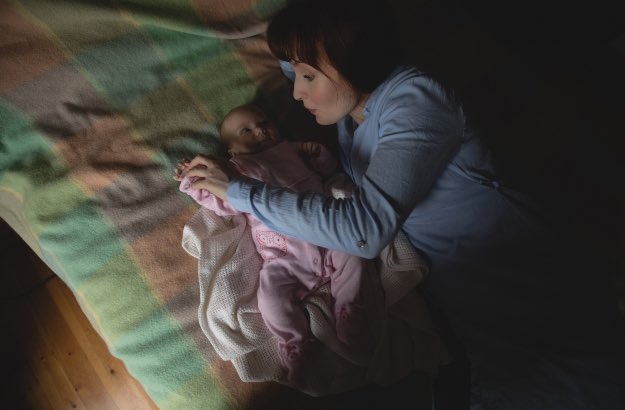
(355, 37)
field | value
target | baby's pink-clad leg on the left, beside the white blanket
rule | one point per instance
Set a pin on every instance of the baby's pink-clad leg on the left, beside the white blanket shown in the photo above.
(279, 301)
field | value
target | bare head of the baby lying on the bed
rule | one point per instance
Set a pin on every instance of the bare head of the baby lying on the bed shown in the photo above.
(246, 130)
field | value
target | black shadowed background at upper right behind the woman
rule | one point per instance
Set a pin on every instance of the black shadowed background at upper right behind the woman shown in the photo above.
(544, 83)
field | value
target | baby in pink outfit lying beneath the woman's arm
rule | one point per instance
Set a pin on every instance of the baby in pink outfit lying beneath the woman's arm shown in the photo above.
(291, 268)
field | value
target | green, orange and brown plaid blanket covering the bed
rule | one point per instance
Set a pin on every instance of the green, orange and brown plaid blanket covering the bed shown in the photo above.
(98, 101)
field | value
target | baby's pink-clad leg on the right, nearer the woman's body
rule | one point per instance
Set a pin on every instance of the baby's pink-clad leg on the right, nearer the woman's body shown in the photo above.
(346, 275)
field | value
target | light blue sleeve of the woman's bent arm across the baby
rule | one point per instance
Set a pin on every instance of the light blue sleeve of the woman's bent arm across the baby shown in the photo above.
(419, 132)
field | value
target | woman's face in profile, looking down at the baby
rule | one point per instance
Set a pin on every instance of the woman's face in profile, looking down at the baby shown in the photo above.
(327, 96)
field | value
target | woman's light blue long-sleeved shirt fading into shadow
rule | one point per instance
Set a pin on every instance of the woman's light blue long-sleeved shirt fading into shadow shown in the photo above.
(417, 167)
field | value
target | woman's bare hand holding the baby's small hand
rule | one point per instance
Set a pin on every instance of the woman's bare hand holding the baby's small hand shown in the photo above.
(212, 174)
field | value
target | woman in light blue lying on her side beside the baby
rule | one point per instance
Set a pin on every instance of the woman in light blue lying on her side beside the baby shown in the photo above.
(418, 167)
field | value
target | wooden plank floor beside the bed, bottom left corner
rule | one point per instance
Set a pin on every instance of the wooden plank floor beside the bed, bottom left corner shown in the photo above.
(51, 356)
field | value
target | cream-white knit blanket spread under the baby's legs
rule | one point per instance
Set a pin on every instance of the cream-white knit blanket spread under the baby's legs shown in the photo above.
(229, 267)
